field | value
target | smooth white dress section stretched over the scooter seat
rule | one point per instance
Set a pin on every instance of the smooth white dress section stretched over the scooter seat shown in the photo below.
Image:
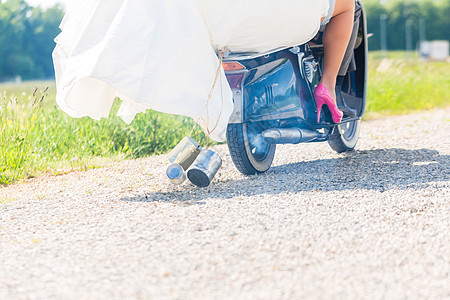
(261, 25)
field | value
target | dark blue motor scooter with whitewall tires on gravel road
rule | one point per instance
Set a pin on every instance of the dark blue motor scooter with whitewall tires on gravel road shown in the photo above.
(274, 104)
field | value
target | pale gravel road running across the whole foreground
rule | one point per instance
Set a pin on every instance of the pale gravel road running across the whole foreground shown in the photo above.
(372, 224)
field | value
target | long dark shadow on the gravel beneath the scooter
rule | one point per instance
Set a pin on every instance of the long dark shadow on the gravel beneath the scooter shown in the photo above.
(379, 170)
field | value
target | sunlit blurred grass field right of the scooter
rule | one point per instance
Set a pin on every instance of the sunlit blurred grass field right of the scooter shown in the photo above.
(403, 84)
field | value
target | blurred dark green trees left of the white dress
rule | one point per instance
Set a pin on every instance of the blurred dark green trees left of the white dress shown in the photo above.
(26, 39)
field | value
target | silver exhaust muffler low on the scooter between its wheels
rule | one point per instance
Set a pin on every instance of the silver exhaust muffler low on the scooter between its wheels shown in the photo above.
(292, 136)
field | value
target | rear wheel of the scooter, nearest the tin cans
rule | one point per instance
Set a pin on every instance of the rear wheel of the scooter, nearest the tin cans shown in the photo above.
(248, 158)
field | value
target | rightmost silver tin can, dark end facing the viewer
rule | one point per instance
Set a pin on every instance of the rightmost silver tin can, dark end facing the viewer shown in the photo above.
(204, 169)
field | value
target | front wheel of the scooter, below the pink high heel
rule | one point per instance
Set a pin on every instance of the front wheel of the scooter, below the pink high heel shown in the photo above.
(345, 137)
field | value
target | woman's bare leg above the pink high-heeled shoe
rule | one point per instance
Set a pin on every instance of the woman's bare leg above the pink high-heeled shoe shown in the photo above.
(336, 38)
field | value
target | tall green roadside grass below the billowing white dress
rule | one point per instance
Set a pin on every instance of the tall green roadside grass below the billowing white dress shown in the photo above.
(36, 137)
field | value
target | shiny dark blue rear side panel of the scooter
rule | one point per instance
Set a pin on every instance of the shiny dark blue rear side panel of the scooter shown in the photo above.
(272, 87)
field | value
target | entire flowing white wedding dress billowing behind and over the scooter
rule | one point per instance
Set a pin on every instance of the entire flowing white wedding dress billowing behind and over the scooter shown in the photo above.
(161, 54)
